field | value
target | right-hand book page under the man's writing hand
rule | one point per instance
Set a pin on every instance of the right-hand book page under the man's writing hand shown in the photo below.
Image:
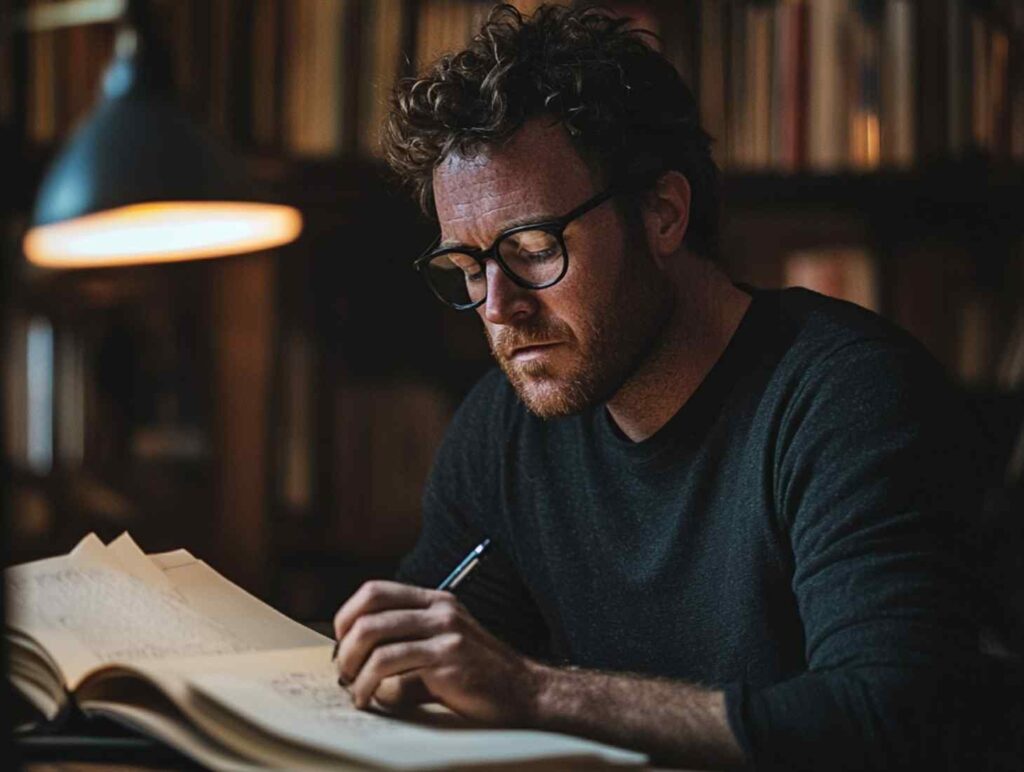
(294, 696)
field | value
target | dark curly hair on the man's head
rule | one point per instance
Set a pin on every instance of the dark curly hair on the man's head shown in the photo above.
(624, 106)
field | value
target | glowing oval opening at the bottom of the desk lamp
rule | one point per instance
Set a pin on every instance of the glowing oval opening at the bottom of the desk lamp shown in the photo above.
(167, 232)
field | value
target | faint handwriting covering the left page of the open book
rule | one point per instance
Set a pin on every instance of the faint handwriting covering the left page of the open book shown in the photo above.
(116, 616)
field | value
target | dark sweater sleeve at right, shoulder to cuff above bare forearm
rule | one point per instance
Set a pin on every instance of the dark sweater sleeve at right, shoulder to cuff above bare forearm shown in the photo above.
(873, 483)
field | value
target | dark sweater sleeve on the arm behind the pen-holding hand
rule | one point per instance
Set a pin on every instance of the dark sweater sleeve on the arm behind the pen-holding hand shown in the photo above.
(457, 517)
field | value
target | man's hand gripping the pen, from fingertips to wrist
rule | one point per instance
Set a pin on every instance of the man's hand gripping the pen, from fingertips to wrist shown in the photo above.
(405, 646)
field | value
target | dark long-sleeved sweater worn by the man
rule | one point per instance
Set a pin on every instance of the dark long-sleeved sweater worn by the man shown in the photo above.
(791, 536)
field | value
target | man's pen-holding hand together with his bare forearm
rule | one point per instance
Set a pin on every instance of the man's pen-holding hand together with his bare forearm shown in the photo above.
(404, 646)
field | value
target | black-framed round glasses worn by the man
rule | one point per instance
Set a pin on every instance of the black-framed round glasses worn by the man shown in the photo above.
(534, 256)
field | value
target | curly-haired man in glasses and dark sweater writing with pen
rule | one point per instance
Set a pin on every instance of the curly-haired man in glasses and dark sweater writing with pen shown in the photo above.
(723, 520)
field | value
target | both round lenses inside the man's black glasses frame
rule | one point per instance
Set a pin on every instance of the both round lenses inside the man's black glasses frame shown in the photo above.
(535, 258)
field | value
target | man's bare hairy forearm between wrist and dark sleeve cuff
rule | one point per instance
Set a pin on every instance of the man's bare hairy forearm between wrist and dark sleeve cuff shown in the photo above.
(672, 721)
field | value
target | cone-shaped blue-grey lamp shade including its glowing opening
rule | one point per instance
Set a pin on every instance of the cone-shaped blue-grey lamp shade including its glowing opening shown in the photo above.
(140, 183)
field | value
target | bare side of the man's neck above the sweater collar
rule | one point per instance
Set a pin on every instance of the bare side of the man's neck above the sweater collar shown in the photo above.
(705, 320)
